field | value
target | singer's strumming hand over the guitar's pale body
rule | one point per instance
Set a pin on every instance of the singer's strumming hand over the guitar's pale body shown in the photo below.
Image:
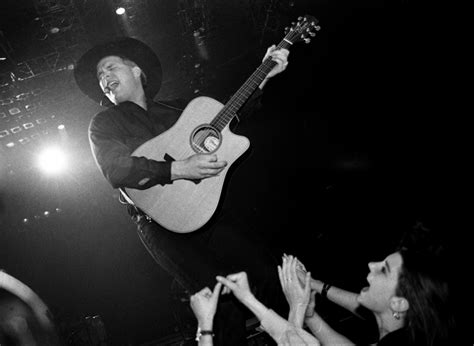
(198, 166)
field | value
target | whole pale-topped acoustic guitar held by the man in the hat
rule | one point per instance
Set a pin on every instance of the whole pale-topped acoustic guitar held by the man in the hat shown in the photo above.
(186, 205)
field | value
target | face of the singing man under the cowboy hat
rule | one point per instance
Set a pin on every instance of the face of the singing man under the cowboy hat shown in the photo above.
(118, 79)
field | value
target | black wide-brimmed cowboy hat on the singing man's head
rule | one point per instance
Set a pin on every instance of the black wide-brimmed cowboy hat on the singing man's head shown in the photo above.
(85, 71)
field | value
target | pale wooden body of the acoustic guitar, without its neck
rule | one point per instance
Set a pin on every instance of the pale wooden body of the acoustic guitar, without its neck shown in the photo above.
(184, 206)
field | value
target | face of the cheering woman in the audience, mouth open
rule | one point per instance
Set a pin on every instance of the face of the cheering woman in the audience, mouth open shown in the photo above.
(383, 281)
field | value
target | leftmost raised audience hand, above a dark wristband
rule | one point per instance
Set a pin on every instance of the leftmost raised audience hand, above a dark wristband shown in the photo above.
(204, 304)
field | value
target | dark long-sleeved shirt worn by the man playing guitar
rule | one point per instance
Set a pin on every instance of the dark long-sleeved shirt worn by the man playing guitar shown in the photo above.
(116, 132)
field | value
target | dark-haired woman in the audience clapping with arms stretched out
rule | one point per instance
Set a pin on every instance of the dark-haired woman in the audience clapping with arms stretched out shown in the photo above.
(407, 295)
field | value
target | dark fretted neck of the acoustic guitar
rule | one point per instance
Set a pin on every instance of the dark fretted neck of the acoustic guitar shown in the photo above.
(238, 99)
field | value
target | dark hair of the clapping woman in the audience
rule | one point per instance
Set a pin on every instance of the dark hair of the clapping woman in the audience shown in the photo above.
(423, 282)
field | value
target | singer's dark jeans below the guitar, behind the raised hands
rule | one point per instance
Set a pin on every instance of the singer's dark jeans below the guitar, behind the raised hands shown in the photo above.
(222, 247)
